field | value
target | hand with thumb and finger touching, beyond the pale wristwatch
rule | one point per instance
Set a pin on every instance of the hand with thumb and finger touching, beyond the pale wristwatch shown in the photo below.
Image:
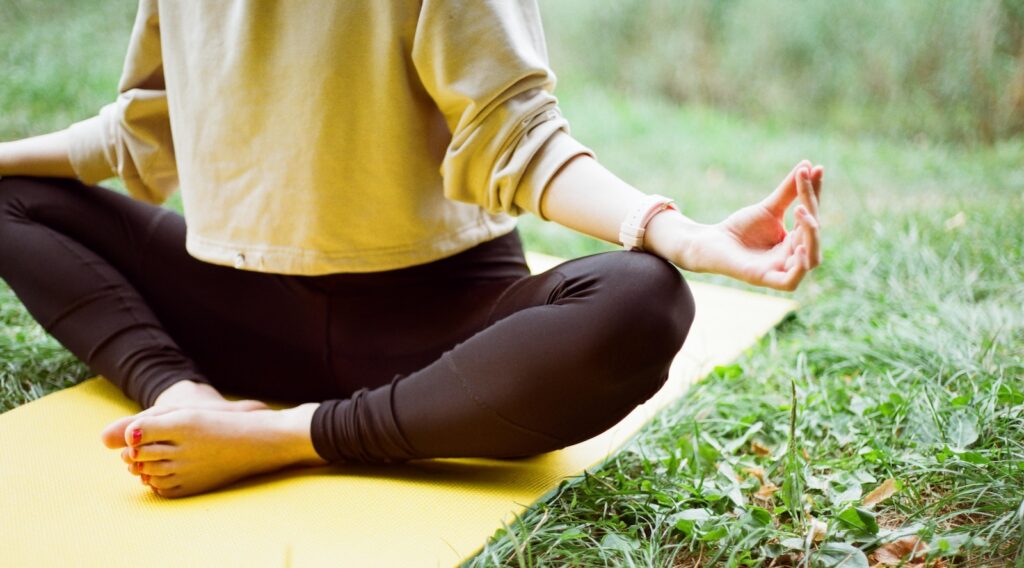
(753, 244)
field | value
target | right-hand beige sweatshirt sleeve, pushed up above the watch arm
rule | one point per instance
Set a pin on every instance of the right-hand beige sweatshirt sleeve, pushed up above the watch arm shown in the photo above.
(486, 66)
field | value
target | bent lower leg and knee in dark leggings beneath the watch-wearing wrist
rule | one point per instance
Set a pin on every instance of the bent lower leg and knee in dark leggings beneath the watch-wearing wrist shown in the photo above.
(564, 357)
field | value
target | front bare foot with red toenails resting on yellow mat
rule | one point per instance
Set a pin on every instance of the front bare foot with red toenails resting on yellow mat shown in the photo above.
(184, 452)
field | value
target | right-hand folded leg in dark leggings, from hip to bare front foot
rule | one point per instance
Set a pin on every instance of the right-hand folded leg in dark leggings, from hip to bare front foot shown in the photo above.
(508, 367)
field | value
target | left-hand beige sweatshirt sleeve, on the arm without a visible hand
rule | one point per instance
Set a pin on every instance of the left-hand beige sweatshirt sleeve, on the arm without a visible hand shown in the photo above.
(132, 138)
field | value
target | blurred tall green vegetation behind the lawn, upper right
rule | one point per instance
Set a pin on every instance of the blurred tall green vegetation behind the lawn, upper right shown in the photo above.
(950, 70)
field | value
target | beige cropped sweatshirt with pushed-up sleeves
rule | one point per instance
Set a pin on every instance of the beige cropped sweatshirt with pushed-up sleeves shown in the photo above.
(318, 137)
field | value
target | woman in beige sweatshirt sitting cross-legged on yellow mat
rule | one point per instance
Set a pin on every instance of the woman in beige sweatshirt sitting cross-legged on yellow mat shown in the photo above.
(352, 173)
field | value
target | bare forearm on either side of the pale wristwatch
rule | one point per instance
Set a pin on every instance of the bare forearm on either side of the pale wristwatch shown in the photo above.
(586, 197)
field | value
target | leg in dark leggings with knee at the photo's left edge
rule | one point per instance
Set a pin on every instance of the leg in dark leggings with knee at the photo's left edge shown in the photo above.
(110, 278)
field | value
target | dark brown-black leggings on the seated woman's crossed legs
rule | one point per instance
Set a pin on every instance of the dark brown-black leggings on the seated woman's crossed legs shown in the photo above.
(464, 357)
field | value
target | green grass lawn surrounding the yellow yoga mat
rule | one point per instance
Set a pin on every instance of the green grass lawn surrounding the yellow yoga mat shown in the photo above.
(906, 358)
